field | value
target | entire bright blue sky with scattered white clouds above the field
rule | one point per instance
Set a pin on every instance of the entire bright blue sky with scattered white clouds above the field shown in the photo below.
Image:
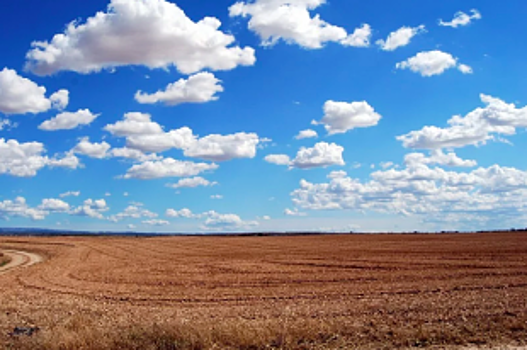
(206, 116)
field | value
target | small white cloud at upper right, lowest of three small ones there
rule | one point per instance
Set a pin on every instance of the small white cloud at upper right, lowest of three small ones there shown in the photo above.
(432, 63)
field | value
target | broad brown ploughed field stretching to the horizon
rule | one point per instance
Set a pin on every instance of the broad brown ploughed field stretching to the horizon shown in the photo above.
(307, 292)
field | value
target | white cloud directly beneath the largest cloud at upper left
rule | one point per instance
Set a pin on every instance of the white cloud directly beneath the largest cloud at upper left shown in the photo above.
(199, 88)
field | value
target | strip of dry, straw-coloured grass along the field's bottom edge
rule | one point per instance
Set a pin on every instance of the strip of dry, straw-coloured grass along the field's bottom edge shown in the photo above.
(300, 335)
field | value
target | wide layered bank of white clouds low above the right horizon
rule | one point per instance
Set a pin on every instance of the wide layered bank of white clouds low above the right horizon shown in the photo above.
(420, 189)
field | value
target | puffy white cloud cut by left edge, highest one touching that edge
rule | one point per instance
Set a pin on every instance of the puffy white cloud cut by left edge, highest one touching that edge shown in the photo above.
(20, 95)
